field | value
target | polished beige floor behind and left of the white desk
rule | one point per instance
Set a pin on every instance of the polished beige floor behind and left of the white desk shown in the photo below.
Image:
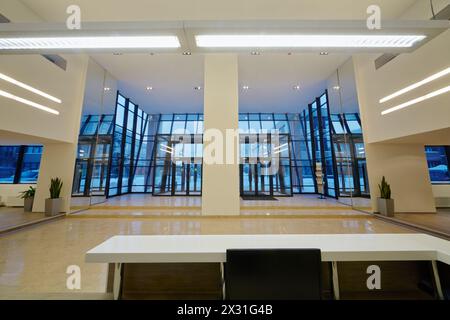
(33, 261)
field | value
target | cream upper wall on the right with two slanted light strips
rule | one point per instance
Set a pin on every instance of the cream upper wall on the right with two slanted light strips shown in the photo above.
(404, 70)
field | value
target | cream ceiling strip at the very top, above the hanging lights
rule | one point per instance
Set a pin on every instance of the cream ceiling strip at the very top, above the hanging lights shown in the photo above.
(147, 10)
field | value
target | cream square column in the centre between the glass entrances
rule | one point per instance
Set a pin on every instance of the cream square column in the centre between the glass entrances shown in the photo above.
(220, 185)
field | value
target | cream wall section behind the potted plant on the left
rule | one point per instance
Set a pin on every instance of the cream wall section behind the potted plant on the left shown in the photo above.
(58, 161)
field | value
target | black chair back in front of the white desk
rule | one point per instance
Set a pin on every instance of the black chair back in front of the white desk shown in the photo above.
(273, 274)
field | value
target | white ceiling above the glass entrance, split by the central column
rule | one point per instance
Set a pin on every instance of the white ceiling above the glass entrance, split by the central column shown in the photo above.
(270, 78)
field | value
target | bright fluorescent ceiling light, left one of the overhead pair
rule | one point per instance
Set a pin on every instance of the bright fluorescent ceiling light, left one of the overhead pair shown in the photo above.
(99, 42)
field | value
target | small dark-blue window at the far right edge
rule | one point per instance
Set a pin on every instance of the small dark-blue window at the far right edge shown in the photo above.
(438, 160)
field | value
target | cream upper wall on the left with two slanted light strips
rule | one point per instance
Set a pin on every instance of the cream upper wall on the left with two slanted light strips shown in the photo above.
(36, 71)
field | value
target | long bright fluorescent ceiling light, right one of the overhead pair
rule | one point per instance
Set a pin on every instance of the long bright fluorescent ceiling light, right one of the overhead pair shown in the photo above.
(308, 41)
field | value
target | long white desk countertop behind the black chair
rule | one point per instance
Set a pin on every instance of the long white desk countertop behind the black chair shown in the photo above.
(212, 248)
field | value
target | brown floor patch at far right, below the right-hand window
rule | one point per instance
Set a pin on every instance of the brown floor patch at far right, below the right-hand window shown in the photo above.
(439, 221)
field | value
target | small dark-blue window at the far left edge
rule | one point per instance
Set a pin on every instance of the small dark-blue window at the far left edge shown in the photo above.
(19, 164)
